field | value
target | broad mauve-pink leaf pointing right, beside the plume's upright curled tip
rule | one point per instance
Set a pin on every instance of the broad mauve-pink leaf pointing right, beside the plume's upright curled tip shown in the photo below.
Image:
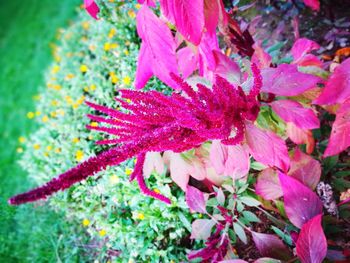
(286, 80)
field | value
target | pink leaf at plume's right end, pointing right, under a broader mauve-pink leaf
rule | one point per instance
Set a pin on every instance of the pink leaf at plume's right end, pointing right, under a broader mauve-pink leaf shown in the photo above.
(292, 111)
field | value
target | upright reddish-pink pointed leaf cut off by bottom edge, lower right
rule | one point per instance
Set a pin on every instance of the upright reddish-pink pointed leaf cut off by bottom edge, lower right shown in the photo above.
(312, 243)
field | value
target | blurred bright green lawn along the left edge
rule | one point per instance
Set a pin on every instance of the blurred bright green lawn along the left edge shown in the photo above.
(27, 233)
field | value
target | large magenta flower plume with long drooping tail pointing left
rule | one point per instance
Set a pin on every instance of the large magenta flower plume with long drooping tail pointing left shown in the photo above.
(153, 122)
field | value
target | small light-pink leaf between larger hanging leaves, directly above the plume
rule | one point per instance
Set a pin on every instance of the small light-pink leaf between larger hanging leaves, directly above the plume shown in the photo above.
(187, 61)
